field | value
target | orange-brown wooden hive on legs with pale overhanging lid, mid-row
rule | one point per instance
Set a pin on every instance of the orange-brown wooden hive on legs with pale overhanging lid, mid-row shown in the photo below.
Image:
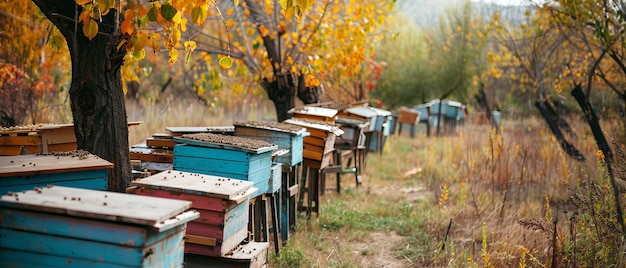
(319, 145)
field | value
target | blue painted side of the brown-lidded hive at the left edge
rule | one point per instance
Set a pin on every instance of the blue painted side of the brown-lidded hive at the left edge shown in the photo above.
(87, 179)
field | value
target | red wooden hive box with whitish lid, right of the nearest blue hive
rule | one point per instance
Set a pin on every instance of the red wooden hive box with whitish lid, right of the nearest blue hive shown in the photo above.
(223, 204)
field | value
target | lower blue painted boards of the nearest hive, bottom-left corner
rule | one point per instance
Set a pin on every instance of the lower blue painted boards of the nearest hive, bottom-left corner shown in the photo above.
(77, 248)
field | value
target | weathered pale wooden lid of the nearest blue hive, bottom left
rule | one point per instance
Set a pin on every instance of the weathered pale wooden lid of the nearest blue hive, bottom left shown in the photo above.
(96, 204)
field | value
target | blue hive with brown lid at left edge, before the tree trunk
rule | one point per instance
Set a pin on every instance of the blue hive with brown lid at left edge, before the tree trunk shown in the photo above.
(72, 169)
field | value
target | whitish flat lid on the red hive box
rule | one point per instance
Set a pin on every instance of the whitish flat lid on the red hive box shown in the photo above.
(198, 184)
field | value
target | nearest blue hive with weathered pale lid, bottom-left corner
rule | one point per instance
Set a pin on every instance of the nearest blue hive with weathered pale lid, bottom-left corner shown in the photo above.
(59, 226)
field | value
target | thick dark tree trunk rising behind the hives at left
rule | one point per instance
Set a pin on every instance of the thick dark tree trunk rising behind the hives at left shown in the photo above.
(97, 98)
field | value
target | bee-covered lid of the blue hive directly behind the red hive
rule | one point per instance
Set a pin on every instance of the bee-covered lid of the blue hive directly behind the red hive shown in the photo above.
(226, 142)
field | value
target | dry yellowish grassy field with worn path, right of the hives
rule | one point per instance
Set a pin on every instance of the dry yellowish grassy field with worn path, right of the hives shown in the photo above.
(474, 199)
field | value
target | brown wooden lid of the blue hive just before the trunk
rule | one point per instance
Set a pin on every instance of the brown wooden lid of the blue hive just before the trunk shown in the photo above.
(36, 164)
